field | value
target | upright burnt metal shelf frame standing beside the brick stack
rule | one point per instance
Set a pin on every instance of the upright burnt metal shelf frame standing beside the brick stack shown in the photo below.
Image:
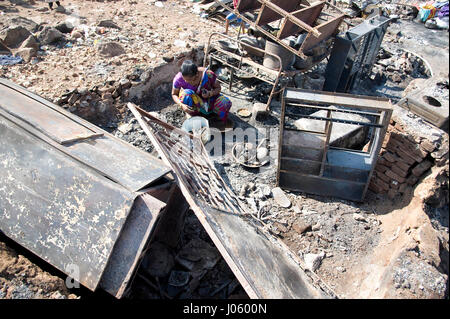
(306, 161)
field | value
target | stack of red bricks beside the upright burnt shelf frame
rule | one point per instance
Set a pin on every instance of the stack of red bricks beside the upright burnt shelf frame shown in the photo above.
(403, 160)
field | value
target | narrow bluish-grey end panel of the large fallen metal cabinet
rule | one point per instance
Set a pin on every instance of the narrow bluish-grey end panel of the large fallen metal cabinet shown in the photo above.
(127, 253)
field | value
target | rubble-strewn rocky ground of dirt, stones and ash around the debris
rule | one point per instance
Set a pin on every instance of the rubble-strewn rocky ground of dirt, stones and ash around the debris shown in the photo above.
(378, 249)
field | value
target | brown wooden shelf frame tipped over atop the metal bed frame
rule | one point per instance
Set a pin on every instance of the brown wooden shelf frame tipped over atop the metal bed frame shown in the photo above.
(293, 21)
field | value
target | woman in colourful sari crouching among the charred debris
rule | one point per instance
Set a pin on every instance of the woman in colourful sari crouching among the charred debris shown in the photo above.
(196, 90)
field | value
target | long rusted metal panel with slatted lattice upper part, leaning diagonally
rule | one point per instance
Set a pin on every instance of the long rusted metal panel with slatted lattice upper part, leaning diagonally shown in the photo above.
(265, 267)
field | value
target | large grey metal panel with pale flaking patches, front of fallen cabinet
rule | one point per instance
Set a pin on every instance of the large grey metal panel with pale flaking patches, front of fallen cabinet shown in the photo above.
(68, 215)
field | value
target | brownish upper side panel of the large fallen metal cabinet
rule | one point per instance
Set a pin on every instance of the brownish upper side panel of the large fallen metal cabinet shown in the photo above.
(111, 156)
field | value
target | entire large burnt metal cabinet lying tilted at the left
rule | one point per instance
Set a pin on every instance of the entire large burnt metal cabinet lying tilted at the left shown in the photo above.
(69, 196)
